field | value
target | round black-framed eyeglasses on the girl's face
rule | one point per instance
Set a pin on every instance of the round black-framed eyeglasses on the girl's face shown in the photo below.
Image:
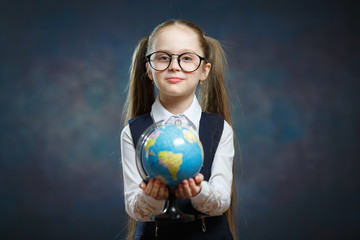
(188, 62)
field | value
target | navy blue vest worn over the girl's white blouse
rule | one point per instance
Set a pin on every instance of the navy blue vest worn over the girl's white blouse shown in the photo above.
(210, 131)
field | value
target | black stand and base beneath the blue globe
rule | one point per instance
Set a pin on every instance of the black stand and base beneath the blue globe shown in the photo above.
(172, 213)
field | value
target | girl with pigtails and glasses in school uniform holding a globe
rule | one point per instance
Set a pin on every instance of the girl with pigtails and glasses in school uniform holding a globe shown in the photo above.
(175, 58)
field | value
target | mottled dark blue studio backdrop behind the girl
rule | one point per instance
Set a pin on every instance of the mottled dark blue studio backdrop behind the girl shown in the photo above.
(294, 67)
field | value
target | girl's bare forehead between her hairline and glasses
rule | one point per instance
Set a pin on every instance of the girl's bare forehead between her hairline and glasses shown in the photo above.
(176, 39)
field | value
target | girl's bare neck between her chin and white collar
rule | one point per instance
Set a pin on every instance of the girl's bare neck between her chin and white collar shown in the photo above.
(176, 105)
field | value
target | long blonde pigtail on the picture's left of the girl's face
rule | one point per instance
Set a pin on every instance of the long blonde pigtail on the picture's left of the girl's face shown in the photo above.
(141, 90)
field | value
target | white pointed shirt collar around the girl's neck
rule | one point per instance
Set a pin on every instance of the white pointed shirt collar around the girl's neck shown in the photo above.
(193, 113)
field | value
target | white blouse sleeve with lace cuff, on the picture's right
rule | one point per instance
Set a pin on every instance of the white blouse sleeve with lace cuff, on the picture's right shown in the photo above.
(215, 195)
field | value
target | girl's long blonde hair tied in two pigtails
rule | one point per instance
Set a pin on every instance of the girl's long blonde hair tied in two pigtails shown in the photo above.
(212, 95)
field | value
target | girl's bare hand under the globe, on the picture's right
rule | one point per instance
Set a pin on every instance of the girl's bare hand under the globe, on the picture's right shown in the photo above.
(189, 188)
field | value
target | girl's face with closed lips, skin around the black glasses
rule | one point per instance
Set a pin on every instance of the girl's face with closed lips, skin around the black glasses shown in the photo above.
(173, 81)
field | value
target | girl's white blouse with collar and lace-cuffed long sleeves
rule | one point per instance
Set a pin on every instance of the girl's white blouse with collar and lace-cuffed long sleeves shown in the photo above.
(214, 197)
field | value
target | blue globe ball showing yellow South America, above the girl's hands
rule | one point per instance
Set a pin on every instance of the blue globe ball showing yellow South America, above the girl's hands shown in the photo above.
(169, 153)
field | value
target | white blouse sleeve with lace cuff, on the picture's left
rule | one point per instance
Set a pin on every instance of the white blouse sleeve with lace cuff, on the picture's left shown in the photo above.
(137, 204)
